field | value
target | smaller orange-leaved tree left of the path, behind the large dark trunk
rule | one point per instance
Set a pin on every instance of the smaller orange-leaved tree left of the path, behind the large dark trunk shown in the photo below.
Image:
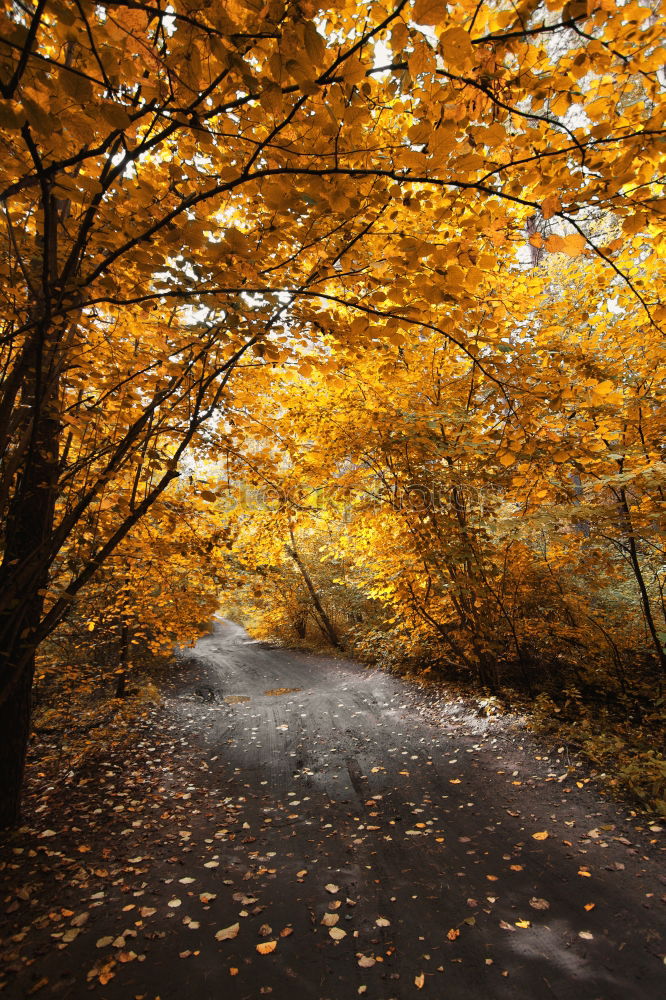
(158, 589)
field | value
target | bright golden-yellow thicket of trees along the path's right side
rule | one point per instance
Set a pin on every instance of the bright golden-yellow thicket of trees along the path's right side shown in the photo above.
(488, 527)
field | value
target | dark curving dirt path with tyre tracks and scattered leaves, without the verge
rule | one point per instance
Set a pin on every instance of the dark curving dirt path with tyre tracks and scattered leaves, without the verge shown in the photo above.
(428, 831)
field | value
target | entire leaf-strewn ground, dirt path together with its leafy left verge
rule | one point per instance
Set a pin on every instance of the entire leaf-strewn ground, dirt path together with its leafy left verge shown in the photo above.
(290, 823)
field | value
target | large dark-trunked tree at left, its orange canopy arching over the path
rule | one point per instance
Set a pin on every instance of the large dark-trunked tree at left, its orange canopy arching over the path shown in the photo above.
(183, 187)
